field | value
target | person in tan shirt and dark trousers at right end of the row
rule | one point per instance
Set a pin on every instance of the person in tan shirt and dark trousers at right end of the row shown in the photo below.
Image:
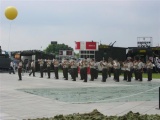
(149, 67)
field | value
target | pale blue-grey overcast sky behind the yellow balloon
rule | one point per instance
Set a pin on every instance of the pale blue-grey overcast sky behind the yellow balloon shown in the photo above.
(41, 21)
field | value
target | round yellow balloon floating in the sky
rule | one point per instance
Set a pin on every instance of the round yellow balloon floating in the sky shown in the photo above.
(11, 12)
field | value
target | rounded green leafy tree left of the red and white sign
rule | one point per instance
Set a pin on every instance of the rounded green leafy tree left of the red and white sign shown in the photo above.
(54, 48)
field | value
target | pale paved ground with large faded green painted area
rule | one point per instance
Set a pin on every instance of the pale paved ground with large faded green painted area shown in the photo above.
(35, 97)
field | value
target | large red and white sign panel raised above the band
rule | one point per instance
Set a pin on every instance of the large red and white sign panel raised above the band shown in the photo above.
(86, 45)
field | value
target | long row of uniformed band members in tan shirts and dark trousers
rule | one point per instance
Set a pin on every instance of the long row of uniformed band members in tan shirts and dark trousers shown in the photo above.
(71, 66)
